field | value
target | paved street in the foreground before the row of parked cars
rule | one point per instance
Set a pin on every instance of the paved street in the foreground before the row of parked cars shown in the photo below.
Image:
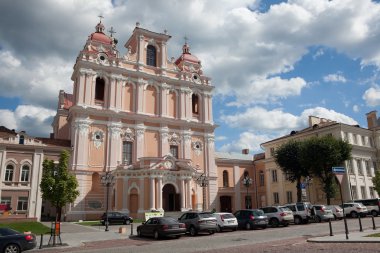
(291, 238)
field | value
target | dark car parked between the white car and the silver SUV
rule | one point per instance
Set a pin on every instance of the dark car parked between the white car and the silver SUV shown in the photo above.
(251, 218)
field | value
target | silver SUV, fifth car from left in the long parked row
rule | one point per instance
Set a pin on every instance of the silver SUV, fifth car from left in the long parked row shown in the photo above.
(278, 215)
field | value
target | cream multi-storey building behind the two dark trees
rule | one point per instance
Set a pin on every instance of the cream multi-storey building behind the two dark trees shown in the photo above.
(357, 181)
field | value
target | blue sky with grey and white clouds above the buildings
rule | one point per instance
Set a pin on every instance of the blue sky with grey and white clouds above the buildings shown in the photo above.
(273, 63)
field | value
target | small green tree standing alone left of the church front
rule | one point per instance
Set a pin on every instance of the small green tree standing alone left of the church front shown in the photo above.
(58, 185)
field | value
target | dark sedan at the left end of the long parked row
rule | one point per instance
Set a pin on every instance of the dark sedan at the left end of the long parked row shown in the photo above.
(161, 227)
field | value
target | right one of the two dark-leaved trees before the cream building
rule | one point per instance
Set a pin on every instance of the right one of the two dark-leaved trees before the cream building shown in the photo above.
(320, 154)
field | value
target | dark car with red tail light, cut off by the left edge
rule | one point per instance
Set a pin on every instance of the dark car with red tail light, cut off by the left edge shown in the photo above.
(13, 241)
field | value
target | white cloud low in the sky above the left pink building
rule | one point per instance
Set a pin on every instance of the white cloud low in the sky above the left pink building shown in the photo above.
(36, 121)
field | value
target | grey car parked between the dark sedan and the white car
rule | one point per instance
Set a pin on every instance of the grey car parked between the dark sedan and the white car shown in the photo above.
(199, 222)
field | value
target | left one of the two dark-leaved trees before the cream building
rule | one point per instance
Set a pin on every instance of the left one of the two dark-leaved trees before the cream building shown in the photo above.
(287, 156)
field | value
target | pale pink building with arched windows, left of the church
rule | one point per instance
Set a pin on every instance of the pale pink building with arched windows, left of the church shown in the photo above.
(21, 158)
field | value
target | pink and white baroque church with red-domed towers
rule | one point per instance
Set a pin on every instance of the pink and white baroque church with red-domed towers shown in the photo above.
(148, 121)
